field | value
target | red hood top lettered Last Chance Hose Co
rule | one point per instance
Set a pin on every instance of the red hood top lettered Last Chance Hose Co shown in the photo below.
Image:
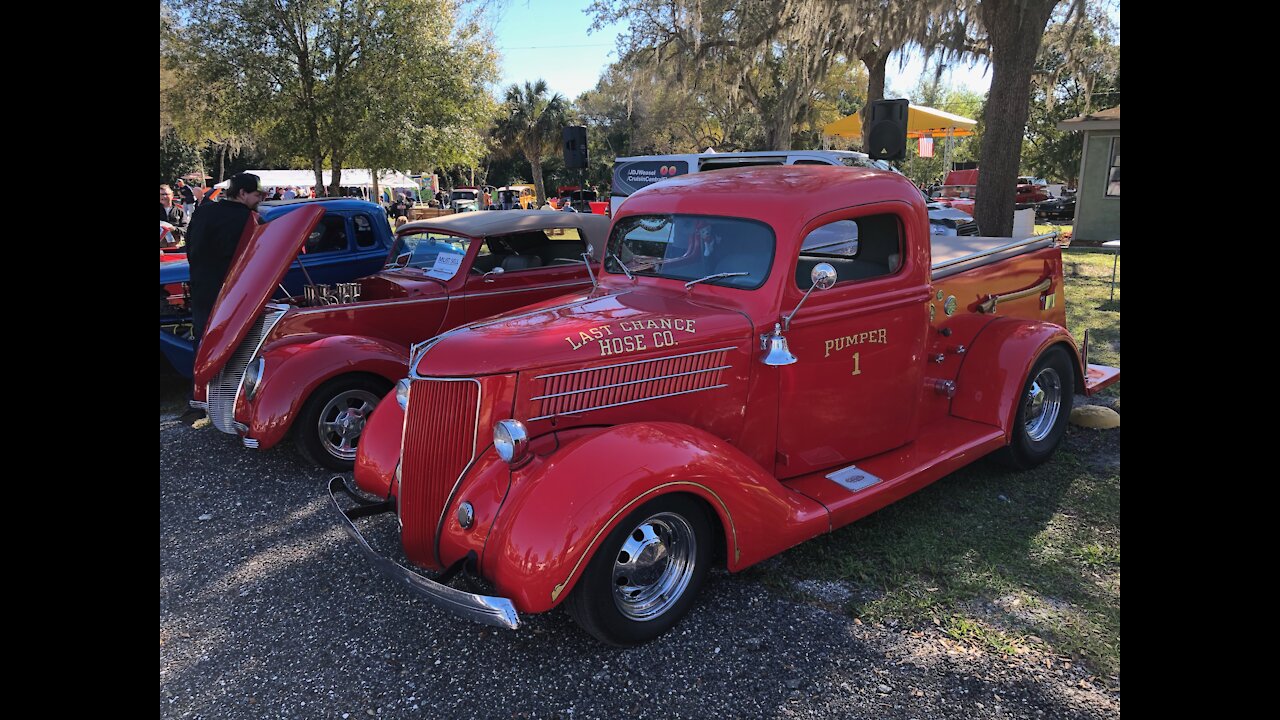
(570, 332)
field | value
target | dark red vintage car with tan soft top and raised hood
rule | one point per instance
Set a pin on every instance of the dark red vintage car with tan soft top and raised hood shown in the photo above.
(318, 364)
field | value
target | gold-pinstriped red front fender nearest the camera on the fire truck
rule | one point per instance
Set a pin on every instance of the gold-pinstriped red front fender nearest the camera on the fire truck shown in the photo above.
(561, 507)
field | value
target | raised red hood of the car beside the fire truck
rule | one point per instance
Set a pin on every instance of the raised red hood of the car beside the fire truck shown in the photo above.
(262, 262)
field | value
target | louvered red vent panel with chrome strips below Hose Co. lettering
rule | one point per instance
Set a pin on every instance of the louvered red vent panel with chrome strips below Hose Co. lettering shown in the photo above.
(595, 389)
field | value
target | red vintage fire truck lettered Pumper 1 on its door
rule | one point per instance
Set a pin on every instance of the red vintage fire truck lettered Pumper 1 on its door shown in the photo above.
(770, 354)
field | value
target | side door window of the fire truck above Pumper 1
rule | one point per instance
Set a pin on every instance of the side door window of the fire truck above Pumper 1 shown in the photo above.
(863, 249)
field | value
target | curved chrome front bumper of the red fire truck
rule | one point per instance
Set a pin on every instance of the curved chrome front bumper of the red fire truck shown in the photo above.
(488, 610)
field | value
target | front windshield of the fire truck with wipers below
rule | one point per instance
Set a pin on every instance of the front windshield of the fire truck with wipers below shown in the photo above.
(688, 248)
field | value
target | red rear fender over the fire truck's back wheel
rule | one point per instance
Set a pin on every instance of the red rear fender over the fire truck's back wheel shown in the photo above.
(996, 366)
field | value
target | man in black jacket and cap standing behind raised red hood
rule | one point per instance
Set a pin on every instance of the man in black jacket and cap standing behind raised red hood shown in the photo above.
(212, 239)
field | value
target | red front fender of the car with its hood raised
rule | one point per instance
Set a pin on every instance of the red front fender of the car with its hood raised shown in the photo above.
(295, 371)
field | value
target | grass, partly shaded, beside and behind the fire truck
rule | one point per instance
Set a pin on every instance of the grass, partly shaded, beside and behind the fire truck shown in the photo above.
(995, 558)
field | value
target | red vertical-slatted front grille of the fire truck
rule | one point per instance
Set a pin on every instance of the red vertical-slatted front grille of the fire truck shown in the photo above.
(440, 444)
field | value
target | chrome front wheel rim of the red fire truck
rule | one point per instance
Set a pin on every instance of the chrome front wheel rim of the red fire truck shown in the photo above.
(653, 567)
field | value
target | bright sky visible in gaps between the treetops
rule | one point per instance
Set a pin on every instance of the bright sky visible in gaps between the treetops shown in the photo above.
(548, 39)
